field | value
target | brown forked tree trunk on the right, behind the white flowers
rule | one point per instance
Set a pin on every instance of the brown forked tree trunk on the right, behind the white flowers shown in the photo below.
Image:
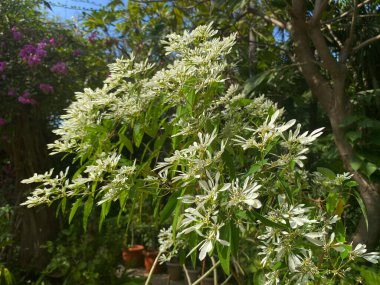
(330, 93)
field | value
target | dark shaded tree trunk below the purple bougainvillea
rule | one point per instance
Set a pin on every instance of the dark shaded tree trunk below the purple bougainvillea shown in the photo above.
(28, 154)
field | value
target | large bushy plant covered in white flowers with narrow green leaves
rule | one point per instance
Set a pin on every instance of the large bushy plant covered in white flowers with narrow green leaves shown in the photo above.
(224, 169)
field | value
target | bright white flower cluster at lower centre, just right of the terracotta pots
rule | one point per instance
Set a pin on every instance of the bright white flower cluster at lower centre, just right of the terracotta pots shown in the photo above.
(209, 211)
